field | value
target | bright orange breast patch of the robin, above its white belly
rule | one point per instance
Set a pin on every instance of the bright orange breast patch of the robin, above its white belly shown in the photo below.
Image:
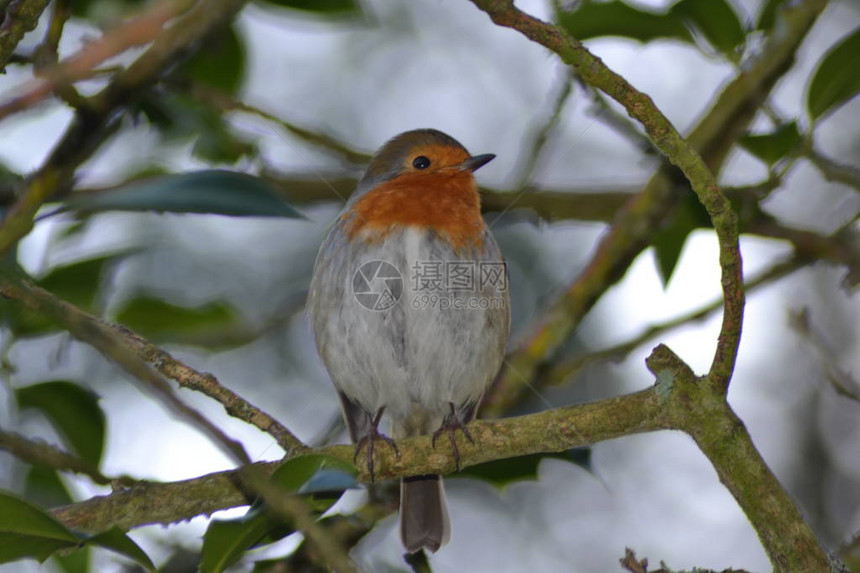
(445, 202)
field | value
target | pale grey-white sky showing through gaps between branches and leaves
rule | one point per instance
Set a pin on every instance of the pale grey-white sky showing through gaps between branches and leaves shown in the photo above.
(442, 64)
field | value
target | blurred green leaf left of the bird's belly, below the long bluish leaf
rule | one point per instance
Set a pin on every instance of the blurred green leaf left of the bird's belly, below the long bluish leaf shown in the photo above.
(159, 320)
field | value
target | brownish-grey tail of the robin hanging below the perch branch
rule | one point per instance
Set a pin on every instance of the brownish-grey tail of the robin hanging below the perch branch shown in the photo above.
(423, 513)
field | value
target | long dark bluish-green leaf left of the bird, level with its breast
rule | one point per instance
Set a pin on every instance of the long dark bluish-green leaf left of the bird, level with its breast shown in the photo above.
(211, 191)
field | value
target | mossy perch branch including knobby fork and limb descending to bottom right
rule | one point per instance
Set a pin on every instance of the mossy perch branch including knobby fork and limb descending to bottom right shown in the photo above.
(678, 400)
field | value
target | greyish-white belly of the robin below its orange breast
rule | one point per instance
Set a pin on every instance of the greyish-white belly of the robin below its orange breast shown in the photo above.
(421, 352)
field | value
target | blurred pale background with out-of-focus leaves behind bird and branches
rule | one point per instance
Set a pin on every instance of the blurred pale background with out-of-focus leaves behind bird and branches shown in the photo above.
(225, 294)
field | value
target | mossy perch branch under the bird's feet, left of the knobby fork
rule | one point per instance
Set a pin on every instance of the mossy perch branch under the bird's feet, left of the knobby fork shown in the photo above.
(551, 431)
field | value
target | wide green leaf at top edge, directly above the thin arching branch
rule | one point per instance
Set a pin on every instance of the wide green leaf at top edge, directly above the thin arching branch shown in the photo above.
(592, 19)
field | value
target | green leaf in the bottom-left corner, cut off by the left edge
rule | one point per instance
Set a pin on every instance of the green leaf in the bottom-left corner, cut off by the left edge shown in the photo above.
(27, 531)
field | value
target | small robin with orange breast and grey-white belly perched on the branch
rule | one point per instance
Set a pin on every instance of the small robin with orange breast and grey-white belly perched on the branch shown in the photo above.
(410, 309)
